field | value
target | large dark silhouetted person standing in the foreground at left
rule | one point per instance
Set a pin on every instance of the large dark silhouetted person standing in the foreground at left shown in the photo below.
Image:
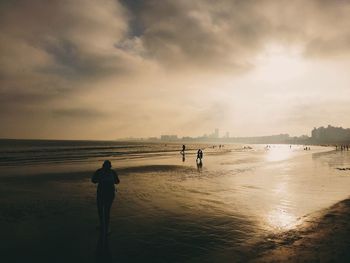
(106, 178)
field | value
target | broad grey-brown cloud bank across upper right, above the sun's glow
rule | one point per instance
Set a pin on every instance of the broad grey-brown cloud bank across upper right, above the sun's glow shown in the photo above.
(227, 34)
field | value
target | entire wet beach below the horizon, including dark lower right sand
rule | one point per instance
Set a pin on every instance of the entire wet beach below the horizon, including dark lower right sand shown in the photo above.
(253, 204)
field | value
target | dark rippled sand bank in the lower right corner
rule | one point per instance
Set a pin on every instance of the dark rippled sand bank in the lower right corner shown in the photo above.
(323, 236)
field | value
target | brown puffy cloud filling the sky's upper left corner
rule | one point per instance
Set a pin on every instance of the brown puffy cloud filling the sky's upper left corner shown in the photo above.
(52, 48)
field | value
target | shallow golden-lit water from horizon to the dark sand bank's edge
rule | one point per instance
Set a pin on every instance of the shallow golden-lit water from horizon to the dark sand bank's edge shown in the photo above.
(168, 209)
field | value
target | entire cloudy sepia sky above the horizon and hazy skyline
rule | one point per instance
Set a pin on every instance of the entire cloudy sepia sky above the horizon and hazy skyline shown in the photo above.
(110, 69)
